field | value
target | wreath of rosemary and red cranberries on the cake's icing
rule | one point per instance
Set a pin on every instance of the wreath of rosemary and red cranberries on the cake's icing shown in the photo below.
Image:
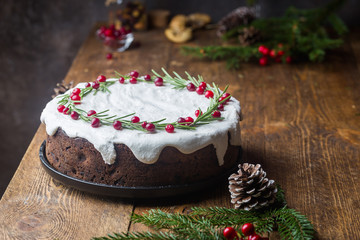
(70, 103)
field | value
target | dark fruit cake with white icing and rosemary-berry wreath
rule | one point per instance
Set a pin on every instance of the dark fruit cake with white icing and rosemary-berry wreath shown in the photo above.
(133, 130)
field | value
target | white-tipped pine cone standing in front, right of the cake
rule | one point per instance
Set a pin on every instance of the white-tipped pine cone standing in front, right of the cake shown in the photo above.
(250, 189)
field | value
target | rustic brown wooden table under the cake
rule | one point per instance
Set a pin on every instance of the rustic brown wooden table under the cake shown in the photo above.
(301, 122)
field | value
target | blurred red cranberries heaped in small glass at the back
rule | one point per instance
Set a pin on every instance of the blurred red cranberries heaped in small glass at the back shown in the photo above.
(111, 36)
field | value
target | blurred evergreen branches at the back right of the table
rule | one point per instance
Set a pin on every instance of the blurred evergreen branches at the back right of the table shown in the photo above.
(302, 34)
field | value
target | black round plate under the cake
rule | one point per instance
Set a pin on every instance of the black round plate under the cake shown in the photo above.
(131, 192)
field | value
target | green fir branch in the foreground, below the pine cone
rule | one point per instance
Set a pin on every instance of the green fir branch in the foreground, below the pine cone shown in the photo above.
(208, 223)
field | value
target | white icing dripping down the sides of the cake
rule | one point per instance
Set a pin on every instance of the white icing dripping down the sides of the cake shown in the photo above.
(150, 103)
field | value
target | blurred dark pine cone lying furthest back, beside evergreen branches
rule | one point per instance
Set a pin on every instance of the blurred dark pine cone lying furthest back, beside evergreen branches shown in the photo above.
(239, 16)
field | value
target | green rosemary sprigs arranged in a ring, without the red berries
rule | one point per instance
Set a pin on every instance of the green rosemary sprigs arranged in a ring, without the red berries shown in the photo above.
(177, 81)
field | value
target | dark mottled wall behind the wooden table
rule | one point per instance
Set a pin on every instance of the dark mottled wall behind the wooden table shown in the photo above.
(40, 38)
